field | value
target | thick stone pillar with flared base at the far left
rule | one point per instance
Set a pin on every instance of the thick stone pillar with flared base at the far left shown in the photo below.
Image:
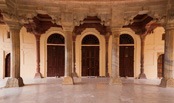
(16, 80)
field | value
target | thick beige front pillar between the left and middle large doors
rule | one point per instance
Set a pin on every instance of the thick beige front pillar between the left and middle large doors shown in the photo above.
(68, 58)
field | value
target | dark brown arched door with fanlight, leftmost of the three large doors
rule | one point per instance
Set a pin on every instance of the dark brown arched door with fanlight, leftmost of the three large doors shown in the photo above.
(55, 55)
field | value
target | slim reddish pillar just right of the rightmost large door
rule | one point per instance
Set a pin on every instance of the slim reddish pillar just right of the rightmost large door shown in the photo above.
(142, 74)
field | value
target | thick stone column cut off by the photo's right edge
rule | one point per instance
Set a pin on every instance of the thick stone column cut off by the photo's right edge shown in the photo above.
(168, 80)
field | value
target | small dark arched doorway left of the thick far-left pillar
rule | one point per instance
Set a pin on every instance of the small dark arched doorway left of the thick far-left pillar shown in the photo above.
(7, 65)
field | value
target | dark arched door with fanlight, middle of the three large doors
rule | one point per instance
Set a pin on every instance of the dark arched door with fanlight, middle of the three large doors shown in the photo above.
(90, 56)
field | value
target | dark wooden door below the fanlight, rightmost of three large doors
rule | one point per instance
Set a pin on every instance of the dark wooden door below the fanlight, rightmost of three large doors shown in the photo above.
(126, 62)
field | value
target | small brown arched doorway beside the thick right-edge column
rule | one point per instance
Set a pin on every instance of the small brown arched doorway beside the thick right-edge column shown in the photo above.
(161, 66)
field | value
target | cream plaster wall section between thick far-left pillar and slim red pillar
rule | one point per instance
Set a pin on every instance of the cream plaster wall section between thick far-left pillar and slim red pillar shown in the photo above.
(28, 54)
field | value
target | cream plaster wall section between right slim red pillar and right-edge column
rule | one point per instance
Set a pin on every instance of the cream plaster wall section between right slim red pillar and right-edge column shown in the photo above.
(154, 46)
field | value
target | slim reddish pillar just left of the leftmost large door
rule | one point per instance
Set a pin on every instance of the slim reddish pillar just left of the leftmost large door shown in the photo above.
(37, 74)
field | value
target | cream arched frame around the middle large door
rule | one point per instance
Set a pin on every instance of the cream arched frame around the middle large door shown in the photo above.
(102, 51)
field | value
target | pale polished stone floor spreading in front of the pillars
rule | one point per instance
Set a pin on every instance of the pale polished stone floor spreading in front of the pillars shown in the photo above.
(87, 90)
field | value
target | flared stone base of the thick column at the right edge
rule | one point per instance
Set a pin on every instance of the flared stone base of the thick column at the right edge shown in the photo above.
(167, 83)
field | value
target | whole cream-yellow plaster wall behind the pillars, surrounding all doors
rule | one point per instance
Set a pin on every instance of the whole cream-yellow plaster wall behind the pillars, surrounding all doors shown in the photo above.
(154, 46)
